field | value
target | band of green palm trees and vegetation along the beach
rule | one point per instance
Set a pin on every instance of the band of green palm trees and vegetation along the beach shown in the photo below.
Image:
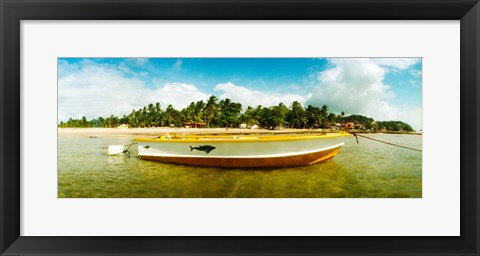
(225, 113)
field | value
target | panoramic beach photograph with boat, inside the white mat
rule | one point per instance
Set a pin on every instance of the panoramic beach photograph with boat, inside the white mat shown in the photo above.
(235, 127)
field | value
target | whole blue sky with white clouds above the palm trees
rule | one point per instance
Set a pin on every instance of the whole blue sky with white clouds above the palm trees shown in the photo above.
(383, 88)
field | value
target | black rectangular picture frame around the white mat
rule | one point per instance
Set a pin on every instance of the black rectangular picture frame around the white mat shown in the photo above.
(13, 11)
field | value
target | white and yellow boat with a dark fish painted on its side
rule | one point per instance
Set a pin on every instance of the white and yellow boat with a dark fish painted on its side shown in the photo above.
(242, 150)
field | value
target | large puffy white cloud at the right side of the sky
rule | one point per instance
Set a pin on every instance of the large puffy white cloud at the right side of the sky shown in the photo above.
(356, 86)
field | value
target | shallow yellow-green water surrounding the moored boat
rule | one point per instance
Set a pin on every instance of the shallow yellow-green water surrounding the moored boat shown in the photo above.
(368, 169)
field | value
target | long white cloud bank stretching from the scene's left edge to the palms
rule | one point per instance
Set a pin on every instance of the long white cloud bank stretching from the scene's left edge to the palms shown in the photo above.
(91, 89)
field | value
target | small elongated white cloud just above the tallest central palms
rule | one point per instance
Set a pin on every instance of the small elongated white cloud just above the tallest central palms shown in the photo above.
(248, 97)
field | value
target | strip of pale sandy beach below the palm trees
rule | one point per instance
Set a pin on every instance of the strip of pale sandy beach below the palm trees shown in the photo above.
(157, 131)
